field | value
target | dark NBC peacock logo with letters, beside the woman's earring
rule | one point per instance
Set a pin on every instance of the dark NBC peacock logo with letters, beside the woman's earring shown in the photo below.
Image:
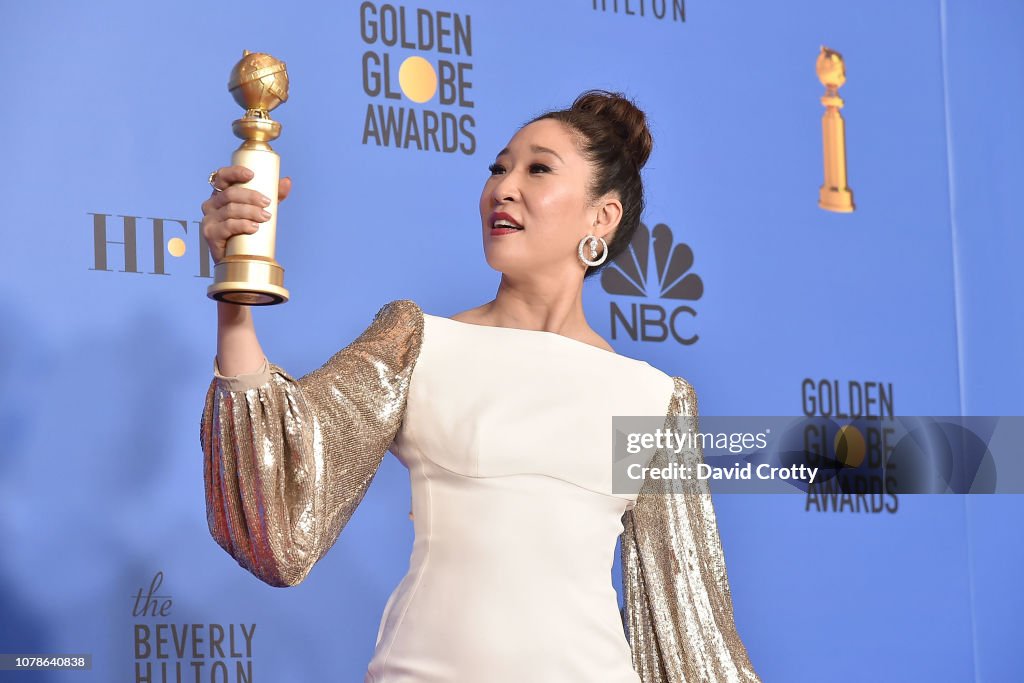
(655, 267)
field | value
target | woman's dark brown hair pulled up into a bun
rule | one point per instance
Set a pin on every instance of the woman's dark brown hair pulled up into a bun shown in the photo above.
(614, 137)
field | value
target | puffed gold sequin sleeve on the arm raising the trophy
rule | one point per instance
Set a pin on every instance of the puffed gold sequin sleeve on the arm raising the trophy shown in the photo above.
(287, 461)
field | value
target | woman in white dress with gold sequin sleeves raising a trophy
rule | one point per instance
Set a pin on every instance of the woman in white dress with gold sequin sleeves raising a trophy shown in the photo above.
(501, 414)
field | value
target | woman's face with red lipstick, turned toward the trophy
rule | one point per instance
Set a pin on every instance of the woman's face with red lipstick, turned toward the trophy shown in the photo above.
(539, 183)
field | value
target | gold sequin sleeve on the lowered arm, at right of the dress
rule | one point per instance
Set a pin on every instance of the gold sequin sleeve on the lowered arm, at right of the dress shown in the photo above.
(676, 592)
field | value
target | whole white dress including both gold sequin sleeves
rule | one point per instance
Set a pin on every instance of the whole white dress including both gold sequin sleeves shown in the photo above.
(507, 436)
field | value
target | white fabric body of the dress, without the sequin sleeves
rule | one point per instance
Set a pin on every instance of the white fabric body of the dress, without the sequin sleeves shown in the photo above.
(507, 438)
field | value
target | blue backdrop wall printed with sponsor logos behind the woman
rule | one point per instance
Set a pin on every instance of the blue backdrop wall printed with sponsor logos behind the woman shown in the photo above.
(117, 111)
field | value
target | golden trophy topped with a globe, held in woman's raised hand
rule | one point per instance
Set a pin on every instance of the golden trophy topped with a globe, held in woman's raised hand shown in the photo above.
(248, 274)
